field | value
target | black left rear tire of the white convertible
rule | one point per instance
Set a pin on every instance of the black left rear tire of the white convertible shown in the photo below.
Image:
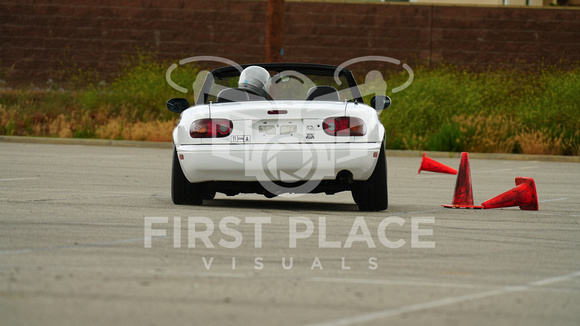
(184, 192)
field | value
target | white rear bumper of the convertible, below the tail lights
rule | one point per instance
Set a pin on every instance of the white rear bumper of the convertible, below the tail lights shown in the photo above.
(277, 162)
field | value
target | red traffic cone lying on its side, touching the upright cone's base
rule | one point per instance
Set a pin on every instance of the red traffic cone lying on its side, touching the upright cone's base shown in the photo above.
(523, 195)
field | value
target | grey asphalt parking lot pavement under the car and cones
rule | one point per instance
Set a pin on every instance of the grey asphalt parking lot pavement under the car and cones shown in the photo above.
(89, 235)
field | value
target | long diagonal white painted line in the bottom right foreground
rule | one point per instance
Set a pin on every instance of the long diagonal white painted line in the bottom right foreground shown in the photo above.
(444, 302)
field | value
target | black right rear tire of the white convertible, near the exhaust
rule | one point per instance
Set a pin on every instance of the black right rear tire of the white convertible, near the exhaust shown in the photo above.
(372, 195)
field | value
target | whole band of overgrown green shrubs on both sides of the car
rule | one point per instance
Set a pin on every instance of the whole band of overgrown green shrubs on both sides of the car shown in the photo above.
(446, 108)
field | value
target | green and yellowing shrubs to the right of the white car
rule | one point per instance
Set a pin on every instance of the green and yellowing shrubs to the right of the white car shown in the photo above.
(447, 108)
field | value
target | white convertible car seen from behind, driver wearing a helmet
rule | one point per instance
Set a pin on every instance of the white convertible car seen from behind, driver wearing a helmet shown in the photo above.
(280, 129)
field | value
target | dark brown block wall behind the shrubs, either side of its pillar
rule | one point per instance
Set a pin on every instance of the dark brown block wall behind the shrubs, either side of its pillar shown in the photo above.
(42, 38)
